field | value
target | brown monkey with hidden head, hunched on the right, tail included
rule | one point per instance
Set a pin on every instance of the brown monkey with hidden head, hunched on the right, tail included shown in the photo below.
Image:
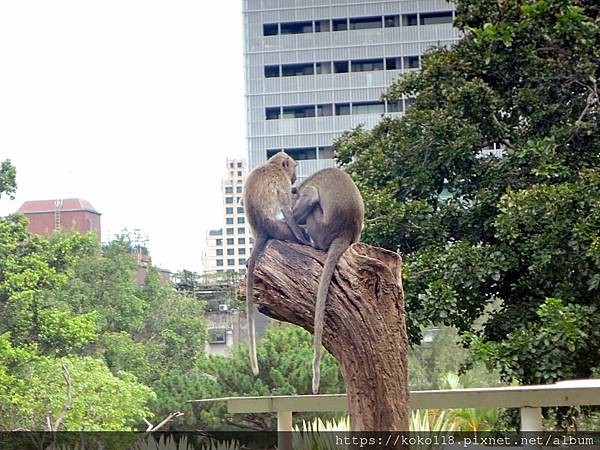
(330, 205)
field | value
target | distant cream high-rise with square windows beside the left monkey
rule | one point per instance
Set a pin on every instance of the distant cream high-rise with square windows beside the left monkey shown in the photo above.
(228, 248)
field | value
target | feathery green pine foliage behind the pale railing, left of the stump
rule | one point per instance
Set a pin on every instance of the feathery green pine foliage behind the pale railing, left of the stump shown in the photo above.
(284, 356)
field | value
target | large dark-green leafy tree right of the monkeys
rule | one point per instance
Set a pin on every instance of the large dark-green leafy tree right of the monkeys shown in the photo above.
(522, 230)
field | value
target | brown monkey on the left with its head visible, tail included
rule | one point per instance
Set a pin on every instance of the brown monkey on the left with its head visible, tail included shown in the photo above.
(266, 195)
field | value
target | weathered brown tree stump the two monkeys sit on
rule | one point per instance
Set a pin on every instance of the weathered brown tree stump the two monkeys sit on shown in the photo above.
(364, 326)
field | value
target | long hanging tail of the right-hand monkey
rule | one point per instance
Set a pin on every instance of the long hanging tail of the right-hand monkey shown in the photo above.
(336, 250)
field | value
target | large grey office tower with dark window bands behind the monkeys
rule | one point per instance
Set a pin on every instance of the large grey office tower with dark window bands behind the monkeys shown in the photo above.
(317, 68)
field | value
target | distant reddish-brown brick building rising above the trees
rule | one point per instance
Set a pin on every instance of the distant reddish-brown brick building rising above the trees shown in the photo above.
(71, 214)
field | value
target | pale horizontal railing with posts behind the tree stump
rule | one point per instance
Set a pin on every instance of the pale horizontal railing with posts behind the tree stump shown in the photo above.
(529, 399)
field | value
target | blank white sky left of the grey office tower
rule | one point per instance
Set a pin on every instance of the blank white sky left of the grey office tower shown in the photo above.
(133, 105)
